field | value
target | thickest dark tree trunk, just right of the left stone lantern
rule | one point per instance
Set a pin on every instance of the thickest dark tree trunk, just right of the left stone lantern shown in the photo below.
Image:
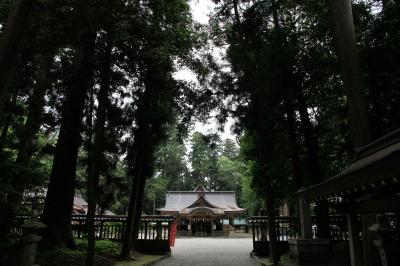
(60, 194)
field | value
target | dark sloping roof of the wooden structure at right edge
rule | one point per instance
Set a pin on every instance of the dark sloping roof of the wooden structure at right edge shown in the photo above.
(375, 165)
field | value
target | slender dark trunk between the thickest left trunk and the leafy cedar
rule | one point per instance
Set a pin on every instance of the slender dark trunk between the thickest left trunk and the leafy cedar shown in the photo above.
(97, 154)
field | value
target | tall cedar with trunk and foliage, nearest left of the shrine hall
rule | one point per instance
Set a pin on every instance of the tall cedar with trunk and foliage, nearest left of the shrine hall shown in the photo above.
(158, 96)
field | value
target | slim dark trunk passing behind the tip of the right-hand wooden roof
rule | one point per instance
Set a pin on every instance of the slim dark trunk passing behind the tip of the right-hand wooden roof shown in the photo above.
(321, 209)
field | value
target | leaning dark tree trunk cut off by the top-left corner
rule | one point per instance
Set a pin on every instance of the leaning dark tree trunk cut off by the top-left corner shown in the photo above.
(11, 43)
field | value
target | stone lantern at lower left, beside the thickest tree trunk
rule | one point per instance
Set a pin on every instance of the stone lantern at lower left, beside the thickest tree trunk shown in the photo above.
(30, 239)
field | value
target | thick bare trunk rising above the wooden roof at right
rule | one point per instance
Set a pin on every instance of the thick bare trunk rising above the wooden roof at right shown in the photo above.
(342, 23)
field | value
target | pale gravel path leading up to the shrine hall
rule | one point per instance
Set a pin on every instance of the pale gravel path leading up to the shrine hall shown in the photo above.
(210, 251)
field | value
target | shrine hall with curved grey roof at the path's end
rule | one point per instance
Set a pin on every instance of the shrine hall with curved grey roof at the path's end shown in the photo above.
(201, 212)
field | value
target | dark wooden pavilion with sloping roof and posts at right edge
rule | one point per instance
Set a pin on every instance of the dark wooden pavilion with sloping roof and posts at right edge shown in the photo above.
(369, 185)
